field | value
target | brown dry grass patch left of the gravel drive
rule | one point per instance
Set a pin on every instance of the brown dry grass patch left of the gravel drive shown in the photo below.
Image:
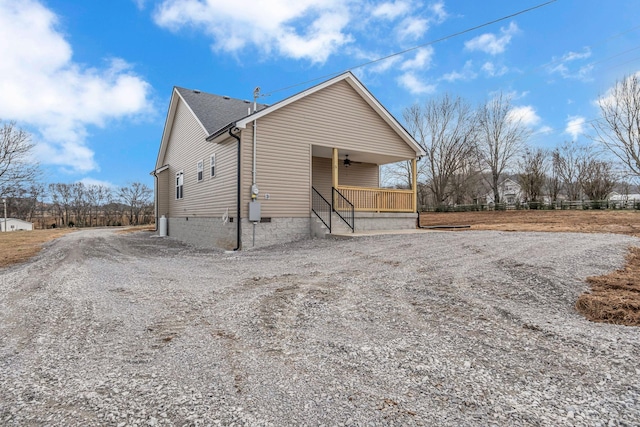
(18, 246)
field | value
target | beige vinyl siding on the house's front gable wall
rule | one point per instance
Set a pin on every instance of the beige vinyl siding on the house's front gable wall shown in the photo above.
(333, 117)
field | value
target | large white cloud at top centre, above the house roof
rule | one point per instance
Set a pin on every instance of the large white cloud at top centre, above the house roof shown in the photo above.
(299, 29)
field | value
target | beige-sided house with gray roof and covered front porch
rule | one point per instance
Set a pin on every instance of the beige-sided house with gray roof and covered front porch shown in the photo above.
(233, 173)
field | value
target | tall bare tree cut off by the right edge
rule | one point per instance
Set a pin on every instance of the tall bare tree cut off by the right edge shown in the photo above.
(619, 127)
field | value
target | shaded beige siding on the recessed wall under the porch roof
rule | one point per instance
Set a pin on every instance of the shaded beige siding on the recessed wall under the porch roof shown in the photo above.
(358, 174)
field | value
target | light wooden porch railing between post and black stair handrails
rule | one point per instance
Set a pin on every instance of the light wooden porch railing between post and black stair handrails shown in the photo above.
(378, 199)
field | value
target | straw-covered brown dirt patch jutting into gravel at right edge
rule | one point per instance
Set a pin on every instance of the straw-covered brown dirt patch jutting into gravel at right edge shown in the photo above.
(615, 297)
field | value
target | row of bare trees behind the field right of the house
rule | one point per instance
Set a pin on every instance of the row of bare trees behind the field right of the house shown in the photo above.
(469, 151)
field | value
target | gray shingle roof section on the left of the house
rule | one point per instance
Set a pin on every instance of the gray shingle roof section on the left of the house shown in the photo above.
(215, 111)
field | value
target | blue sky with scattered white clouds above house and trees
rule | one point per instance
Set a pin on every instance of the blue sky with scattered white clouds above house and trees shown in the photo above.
(91, 80)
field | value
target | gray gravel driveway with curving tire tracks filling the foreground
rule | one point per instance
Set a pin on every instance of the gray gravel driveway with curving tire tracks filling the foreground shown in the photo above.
(436, 328)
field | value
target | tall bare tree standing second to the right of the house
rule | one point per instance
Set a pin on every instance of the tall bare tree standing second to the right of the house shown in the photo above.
(502, 136)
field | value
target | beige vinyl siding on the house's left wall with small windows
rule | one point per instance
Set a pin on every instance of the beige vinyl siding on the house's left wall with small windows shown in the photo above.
(187, 146)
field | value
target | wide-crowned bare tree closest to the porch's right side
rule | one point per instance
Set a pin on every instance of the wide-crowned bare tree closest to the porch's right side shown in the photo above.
(445, 128)
